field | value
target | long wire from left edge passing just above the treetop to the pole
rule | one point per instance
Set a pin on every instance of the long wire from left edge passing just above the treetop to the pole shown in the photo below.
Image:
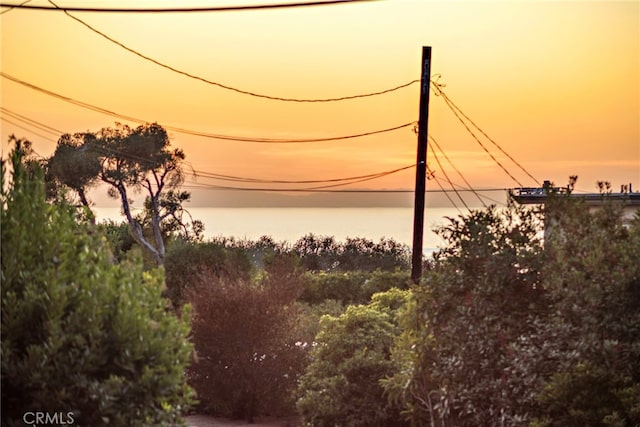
(199, 133)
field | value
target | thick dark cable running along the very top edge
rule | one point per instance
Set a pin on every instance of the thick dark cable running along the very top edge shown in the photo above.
(188, 9)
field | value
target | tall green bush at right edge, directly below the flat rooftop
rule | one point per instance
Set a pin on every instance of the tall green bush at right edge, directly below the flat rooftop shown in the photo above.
(592, 278)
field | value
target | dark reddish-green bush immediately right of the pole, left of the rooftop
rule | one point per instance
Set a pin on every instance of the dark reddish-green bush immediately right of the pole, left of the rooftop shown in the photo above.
(475, 303)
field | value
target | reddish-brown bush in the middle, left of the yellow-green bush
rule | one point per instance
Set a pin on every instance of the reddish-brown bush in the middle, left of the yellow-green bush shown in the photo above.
(246, 339)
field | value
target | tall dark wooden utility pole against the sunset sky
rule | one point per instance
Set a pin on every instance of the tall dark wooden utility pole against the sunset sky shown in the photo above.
(421, 167)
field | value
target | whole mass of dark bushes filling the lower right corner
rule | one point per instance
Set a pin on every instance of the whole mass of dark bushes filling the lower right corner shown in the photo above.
(508, 332)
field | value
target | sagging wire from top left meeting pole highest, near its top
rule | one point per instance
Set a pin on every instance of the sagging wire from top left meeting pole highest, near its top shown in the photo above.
(225, 86)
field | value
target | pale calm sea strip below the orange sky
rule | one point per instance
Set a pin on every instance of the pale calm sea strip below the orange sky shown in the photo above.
(289, 224)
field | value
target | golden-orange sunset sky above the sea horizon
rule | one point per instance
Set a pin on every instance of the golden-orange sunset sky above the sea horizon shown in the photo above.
(555, 85)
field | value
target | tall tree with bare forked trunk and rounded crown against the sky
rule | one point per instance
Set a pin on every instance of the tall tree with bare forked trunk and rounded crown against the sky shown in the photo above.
(128, 160)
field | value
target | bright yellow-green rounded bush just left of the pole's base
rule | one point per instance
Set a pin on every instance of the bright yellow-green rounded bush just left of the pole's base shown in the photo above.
(340, 387)
